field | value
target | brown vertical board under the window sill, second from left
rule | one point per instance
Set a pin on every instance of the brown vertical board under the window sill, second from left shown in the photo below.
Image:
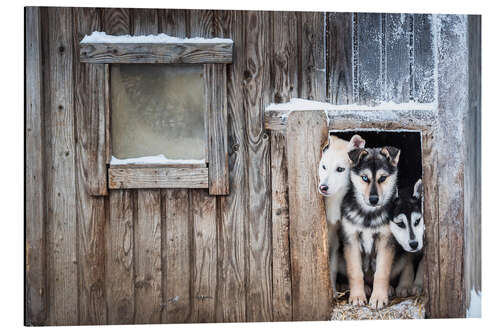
(147, 258)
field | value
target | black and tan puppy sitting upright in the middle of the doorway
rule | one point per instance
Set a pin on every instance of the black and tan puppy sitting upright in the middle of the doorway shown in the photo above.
(365, 229)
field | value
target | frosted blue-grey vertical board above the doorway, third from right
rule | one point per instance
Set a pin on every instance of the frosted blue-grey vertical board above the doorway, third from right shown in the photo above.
(369, 58)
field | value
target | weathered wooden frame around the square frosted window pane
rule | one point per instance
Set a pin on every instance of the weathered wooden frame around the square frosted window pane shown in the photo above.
(214, 174)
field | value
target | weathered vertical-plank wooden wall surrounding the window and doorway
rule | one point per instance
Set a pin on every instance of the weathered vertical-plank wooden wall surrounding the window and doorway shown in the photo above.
(165, 256)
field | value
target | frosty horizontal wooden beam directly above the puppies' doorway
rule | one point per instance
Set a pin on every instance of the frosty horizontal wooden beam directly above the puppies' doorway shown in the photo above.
(362, 119)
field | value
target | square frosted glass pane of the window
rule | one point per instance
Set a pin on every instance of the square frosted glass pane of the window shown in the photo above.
(157, 109)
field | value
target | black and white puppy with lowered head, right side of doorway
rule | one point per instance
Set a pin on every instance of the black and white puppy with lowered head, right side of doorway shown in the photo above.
(407, 227)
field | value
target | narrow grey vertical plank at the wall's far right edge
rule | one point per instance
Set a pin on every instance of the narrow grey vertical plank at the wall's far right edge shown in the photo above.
(472, 173)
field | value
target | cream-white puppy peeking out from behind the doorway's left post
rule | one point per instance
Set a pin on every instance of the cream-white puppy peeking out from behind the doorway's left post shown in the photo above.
(333, 171)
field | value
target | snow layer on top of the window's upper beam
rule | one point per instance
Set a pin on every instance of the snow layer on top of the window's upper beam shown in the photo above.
(102, 37)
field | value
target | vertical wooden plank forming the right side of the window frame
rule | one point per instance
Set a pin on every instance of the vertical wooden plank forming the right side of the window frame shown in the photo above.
(216, 90)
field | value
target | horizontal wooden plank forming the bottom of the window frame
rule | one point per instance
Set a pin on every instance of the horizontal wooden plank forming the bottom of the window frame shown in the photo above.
(127, 178)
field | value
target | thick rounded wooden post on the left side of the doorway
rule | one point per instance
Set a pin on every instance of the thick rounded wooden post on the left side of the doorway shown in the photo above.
(311, 287)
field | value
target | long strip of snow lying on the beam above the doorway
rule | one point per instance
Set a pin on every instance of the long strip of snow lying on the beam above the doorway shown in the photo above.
(298, 104)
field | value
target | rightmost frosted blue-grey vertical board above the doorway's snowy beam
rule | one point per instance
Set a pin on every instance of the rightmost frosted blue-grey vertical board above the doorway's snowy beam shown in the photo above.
(424, 61)
